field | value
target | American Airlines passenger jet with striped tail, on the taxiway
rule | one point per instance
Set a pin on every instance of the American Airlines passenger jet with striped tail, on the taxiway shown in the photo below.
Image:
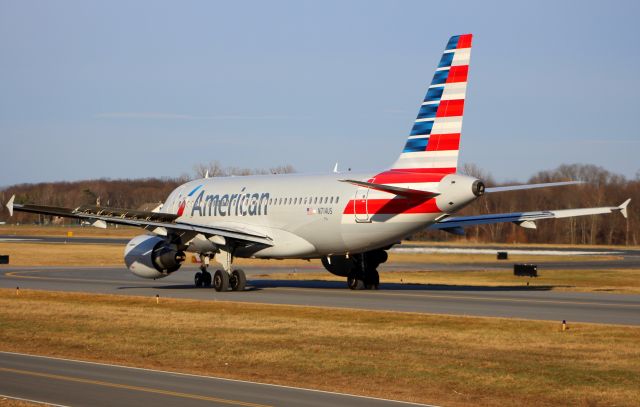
(348, 220)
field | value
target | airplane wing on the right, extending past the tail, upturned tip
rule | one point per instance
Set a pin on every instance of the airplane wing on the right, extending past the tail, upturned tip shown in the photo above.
(456, 224)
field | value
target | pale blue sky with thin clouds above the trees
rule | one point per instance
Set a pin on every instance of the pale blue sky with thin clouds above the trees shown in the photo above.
(147, 88)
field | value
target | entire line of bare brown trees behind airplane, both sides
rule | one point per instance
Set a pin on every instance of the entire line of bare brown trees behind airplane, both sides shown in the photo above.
(600, 188)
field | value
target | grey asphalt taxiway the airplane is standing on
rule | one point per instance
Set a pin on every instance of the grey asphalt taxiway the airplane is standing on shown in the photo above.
(532, 302)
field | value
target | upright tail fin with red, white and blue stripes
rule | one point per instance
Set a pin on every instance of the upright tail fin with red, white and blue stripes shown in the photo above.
(434, 141)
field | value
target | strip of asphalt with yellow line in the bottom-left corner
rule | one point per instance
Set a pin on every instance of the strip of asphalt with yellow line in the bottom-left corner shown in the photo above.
(77, 383)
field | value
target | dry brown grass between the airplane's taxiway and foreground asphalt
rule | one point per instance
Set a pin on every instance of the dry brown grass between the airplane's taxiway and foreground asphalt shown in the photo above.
(427, 358)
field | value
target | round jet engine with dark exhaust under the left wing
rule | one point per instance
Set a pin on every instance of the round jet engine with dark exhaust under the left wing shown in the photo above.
(152, 257)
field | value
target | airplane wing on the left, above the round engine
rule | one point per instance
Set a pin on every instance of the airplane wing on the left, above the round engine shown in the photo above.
(159, 223)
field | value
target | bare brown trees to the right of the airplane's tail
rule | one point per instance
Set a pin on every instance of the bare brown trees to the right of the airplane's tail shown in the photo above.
(600, 188)
